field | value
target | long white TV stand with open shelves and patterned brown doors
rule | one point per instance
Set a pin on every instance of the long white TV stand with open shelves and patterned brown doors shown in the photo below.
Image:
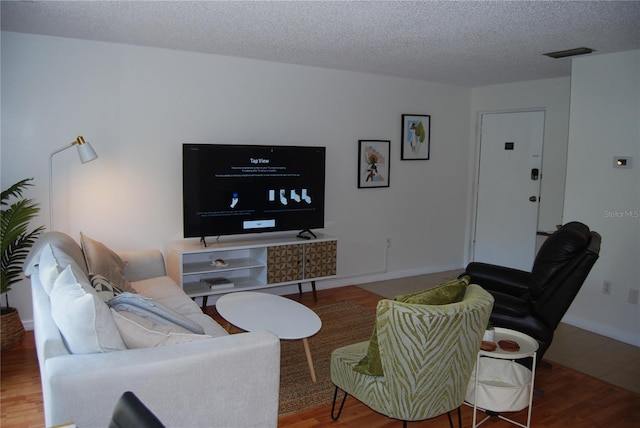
(251, 264)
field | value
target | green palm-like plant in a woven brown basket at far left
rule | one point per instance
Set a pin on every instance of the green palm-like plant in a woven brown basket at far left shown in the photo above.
(16, 241)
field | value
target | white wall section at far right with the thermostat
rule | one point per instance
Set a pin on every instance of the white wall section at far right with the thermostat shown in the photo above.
(605, 122)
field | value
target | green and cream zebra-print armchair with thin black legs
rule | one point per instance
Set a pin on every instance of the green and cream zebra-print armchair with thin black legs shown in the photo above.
(427, 354)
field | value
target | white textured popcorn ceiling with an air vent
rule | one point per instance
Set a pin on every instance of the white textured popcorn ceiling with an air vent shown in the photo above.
(455, 42)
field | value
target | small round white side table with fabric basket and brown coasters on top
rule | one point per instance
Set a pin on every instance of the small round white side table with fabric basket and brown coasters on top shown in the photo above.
(499, 383)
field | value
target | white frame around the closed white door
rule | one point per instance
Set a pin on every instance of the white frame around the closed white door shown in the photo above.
(476, 172)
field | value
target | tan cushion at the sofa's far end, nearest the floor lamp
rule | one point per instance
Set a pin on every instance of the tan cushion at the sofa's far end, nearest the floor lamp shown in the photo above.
(104, 261)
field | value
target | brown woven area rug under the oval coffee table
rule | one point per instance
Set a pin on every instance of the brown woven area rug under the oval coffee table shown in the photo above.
(343, 323)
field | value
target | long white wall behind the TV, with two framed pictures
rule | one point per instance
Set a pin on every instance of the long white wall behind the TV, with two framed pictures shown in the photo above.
(137, 105)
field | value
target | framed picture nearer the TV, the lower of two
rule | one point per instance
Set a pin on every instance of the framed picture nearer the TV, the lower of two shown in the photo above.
(373, 163)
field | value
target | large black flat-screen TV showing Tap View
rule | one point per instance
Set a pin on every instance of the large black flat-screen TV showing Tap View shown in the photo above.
(237, 189)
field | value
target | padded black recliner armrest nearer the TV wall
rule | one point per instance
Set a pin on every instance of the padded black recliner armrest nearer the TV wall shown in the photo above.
(505, 280)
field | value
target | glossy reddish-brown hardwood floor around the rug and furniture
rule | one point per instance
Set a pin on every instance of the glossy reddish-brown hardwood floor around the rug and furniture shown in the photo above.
(570, 399)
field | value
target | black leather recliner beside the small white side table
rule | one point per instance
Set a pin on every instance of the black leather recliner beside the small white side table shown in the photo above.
(535, 302)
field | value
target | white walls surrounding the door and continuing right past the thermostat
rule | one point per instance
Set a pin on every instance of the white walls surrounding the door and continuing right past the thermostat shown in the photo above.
(601, 99)
